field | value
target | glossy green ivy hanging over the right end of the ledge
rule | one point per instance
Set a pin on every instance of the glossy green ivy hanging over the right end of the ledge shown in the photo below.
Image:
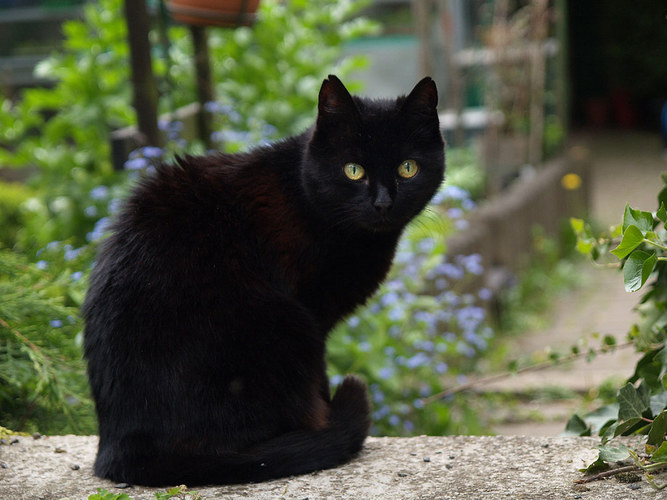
(640, 242)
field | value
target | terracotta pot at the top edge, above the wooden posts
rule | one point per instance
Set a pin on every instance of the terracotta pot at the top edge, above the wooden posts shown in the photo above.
(228, 13)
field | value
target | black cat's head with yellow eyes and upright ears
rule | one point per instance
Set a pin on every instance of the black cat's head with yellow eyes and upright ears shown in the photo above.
(373, 165)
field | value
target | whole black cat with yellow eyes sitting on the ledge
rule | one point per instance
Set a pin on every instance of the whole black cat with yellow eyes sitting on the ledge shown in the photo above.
(210, 303)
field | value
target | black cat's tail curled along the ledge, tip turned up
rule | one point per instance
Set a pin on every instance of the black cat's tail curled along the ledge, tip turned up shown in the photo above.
(294, 453)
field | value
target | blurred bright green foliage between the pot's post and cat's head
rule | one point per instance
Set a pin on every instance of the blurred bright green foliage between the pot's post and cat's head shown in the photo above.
(269, 73)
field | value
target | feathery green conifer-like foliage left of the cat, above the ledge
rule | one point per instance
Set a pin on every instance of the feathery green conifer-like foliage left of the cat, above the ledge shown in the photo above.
(42, 381)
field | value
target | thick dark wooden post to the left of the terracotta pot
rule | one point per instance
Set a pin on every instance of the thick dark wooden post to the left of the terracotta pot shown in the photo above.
(145, 88)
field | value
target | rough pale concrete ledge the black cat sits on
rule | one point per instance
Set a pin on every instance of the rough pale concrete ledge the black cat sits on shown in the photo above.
(449, 467)
